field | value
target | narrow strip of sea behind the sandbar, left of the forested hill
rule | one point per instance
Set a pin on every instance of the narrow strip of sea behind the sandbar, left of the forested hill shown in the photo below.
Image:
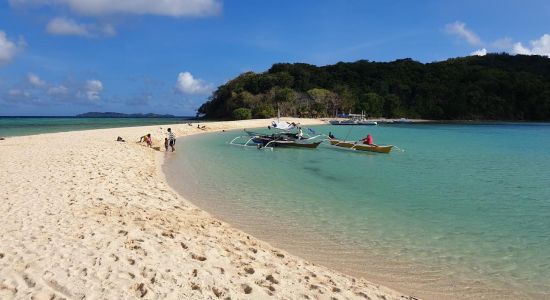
(14, 126)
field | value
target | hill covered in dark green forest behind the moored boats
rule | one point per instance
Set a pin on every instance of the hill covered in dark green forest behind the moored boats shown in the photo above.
(491, 87)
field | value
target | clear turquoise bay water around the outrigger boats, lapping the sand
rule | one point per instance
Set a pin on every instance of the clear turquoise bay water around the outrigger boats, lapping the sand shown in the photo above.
(463, 212)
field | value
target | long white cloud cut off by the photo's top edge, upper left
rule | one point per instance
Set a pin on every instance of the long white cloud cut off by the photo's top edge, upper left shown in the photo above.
(174, 8)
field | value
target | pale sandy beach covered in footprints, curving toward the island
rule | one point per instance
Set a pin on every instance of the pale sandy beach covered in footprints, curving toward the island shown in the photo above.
(86, 217)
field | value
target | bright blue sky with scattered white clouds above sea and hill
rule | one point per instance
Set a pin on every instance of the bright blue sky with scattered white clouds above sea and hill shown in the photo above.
(63, 57)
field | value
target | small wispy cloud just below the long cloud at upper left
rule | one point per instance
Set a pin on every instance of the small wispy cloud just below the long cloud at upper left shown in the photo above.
(66, 26)
